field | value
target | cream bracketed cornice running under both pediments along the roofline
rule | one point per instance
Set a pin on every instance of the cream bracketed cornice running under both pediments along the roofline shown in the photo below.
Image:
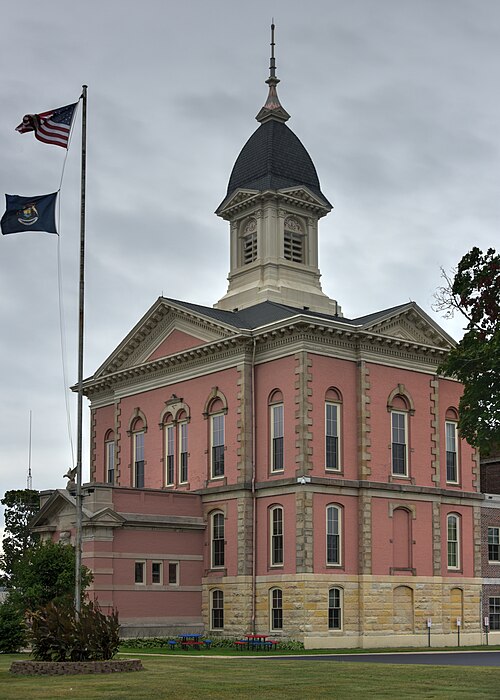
(273, 341)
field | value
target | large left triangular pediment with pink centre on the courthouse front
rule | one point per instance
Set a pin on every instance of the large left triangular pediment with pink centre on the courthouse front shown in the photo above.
(166, 329)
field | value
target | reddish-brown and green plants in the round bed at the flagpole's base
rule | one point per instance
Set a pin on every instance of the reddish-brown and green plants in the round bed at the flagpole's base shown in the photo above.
(58, 633)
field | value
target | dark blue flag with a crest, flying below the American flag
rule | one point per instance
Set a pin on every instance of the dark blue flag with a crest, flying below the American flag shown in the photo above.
(29, 214)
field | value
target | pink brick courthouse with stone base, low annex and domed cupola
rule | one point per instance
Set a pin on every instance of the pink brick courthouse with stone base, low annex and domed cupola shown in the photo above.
(268, 464)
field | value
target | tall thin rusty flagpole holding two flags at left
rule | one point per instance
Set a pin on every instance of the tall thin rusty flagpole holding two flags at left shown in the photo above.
(81, 298)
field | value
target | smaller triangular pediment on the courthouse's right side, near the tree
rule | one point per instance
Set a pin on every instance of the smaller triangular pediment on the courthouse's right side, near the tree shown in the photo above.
(409, 323)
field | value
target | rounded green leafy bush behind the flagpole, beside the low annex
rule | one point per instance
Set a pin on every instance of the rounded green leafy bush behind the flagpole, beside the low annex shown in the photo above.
(45, 573)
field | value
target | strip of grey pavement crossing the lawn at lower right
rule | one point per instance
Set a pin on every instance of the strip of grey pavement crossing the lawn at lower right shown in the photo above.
(436, 658)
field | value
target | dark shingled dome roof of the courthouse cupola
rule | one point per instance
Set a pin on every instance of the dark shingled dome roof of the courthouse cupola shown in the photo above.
(273, 158)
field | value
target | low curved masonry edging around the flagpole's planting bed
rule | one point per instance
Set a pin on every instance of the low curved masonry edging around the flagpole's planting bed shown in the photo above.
(68, 668)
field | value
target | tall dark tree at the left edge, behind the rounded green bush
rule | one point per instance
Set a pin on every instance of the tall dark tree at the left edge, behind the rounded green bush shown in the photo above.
(20, 506)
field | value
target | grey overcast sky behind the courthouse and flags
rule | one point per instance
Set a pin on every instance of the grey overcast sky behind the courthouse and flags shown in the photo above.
(396, 101)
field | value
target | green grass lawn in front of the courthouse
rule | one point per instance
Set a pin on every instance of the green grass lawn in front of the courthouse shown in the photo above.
(184, 677)
